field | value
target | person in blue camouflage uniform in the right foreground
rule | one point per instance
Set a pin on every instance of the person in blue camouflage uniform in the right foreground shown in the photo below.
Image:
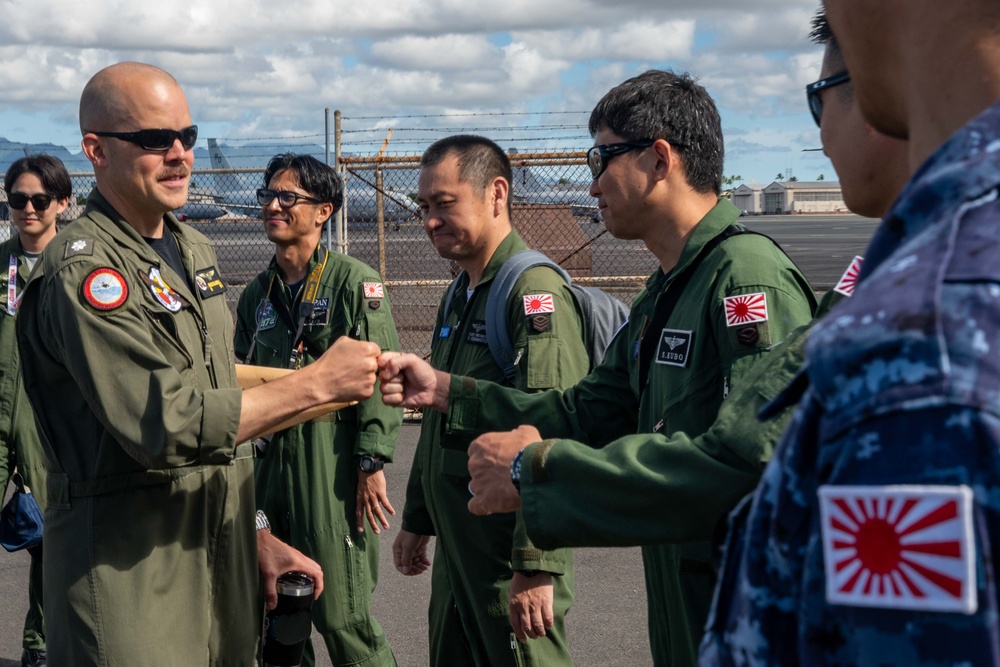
(869, 538)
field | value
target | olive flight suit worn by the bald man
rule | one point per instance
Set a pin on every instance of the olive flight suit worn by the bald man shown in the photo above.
(149, 527)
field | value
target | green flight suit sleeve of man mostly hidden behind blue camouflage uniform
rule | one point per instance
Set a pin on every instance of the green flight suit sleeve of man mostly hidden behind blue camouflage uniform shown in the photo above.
(667, 500)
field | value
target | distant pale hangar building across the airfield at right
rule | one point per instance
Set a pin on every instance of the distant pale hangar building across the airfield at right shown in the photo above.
(790, 197)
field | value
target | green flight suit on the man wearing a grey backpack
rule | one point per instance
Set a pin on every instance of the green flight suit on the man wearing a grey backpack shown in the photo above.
(474, 556)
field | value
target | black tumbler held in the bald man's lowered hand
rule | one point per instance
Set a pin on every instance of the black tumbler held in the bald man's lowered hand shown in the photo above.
(289, 624)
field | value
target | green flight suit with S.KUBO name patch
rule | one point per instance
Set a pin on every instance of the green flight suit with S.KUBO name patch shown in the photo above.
(698, 357)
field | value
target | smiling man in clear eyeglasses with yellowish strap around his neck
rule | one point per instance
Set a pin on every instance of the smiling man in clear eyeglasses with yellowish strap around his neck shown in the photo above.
(322, 480)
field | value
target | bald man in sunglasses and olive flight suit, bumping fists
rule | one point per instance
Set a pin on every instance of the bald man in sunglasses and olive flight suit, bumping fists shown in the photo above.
(125, 340)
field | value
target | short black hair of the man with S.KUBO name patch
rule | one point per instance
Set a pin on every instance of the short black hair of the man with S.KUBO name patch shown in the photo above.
(660, 104)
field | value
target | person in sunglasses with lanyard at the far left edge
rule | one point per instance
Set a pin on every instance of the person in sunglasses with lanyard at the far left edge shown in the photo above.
(38, 190)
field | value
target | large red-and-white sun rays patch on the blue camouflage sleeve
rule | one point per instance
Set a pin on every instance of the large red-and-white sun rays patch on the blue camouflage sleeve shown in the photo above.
(899, 547)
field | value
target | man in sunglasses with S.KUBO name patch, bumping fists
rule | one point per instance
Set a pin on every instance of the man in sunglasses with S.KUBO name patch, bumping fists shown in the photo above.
(692, 334)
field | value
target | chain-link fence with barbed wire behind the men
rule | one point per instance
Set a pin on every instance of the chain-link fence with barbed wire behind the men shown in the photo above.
(381, 226)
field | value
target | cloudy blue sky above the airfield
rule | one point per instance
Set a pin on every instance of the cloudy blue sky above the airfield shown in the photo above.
(525, 72)
